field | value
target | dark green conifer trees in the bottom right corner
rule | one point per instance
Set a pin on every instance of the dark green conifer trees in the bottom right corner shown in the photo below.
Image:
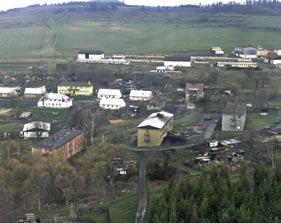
(214, 197)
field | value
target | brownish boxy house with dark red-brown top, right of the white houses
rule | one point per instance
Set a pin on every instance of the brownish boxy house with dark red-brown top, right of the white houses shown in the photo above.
(194, 92)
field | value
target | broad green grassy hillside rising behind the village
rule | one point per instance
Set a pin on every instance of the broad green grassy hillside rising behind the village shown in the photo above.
(59, 31)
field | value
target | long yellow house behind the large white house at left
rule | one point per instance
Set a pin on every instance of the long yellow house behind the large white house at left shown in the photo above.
(75, 88)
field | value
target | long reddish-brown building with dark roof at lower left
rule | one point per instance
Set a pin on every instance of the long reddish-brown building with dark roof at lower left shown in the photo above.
(65, 143)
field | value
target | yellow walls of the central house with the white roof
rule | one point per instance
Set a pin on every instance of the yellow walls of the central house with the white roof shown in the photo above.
(156, 136)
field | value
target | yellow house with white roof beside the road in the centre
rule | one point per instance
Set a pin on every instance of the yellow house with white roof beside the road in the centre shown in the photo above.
(152, 130)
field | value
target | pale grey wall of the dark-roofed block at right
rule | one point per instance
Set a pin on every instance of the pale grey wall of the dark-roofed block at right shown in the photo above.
(229, 125)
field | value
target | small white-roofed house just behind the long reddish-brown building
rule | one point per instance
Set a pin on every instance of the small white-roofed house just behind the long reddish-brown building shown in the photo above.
(36, 129)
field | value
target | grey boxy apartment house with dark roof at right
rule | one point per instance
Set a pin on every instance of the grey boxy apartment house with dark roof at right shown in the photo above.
(234, 116)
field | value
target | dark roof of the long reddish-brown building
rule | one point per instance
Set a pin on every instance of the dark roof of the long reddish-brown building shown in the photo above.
(58, 139)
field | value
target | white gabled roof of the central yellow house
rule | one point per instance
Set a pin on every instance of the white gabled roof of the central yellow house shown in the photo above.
(156, 120)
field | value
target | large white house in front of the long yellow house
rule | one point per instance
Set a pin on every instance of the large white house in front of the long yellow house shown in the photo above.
(55, 100)
